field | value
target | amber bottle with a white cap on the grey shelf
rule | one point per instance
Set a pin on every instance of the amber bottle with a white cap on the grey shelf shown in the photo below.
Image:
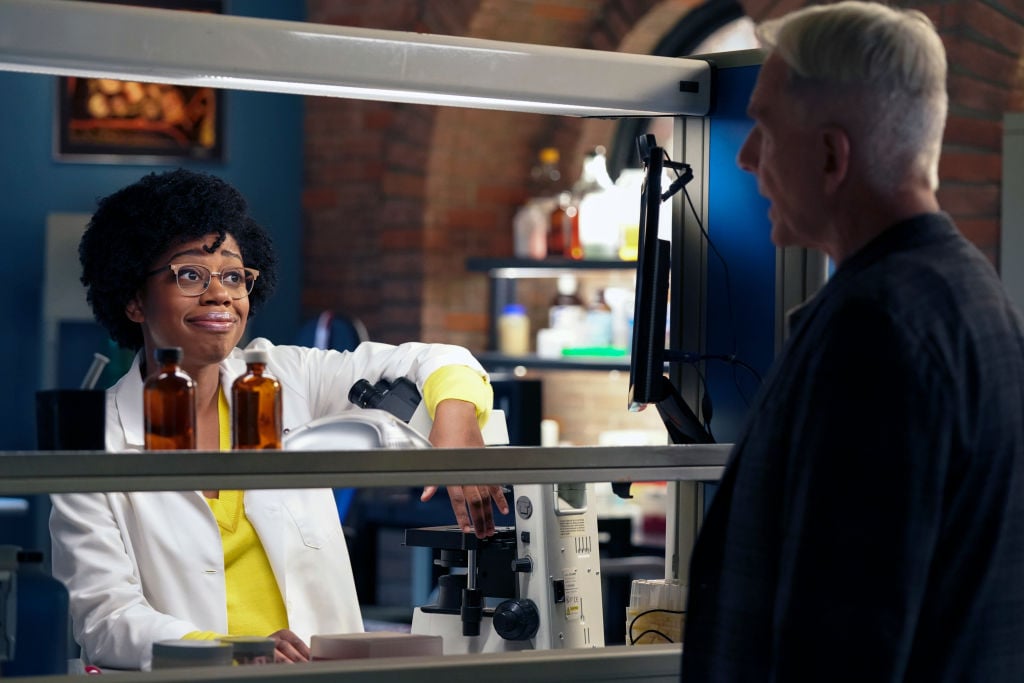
(257, 408)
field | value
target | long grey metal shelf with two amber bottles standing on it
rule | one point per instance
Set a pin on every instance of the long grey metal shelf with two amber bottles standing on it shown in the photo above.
(69, 472)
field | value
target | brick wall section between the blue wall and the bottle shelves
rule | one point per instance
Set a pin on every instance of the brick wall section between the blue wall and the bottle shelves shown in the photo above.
(399, 196)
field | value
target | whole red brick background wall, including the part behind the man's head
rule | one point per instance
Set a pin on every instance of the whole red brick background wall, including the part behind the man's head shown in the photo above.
(398, 197)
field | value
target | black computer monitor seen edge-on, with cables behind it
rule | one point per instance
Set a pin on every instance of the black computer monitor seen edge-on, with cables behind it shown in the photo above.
(649, 386)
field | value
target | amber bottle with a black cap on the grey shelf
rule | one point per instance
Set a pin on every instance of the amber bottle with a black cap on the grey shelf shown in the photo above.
(169, 405)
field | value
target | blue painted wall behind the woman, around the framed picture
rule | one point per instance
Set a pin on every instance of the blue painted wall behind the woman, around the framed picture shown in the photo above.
(264, 161)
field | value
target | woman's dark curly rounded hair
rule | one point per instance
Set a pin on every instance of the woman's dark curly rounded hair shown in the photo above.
(135, 226)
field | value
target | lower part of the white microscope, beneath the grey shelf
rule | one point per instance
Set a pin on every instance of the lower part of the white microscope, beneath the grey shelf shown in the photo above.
(544, 574)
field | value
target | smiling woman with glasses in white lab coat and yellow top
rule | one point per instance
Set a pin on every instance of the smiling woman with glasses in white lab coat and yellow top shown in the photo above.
(176, 261)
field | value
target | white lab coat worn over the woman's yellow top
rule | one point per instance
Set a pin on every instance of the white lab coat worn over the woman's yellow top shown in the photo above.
(147, 567)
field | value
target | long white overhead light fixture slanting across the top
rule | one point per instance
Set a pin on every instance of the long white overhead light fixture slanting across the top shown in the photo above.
(72, 38)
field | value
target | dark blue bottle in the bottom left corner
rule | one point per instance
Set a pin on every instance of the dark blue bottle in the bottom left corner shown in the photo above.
(41, 624)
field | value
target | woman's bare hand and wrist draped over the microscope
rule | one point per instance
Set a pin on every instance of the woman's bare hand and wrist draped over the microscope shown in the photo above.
(456, 428)
